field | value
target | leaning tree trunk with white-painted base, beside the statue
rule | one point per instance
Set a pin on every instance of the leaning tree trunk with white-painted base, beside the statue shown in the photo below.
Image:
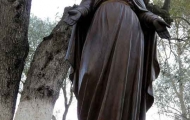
(45, 76)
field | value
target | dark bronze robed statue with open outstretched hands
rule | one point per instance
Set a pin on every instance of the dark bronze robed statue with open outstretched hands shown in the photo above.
(113, 58)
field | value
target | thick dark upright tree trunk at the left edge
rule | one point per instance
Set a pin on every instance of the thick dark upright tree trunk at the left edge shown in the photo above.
(14, 21)
